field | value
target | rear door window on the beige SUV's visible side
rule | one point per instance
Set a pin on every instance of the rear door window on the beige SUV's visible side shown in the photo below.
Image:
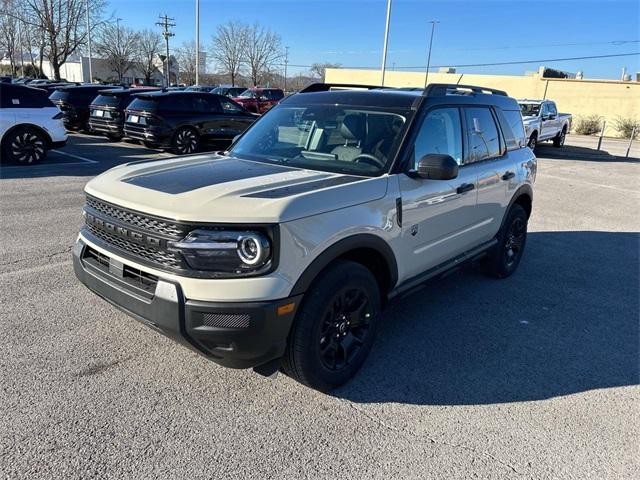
(484, 139)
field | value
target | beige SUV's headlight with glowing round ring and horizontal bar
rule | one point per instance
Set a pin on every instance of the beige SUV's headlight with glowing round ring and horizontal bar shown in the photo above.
(226, 251)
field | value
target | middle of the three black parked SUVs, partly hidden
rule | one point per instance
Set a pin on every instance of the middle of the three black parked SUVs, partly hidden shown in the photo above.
(107, 110)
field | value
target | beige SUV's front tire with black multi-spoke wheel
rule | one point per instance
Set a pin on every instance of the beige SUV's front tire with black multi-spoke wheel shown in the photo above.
(334, 328)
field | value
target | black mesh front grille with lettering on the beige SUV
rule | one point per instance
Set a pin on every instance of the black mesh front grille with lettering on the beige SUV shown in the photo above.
(140, 236)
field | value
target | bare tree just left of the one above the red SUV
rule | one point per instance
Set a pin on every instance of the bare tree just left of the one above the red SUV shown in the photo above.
(228, 46)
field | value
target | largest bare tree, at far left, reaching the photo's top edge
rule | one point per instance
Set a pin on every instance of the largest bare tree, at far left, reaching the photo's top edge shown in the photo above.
(63, 23)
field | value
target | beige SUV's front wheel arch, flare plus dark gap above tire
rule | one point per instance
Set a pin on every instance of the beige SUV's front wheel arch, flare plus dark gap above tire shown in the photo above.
(366, 249)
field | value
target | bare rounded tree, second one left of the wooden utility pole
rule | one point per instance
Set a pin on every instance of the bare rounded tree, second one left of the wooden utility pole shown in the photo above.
(117, 45)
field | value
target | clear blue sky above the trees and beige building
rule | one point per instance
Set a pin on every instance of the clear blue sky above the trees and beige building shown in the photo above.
(350, 32)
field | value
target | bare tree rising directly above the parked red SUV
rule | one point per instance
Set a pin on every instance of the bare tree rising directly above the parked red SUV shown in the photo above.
(262, 51)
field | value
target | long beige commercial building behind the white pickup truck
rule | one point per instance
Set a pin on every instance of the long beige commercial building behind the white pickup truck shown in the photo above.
(610, 99)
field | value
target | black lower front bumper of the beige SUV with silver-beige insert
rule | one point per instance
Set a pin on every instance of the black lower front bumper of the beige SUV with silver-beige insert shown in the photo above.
(235, 335)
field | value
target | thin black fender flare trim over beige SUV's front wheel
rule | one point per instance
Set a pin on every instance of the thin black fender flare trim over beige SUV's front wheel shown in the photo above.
(342, 247)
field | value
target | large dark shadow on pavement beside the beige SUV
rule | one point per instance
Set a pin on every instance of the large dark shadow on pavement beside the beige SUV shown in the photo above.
(565, 322)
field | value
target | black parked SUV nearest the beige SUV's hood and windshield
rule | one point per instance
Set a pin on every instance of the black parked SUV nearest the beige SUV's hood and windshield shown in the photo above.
(183, 121)
